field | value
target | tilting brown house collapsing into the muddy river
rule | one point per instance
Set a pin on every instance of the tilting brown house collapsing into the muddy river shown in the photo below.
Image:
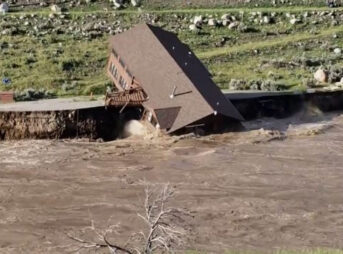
(153, 68)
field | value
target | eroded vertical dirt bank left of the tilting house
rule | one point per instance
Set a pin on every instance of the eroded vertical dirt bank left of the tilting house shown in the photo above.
(85, 123)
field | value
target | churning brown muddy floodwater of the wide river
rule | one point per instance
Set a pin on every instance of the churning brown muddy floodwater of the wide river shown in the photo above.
(260, 189)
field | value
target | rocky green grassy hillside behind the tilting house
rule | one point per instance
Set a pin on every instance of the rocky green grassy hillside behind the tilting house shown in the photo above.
(269, 47)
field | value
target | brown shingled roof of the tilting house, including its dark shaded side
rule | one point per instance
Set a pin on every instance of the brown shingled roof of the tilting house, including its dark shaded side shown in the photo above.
(164, 66)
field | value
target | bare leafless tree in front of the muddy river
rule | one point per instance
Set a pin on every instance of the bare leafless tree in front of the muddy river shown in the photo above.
(165, 227)
